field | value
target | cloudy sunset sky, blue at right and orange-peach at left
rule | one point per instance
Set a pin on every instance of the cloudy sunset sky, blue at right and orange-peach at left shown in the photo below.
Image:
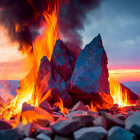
(118, 22)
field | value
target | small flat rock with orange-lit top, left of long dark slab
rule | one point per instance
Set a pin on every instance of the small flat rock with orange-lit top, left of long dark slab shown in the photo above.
(45, 130)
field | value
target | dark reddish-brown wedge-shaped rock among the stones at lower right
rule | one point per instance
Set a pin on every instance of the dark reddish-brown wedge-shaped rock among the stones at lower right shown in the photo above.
(111, 120)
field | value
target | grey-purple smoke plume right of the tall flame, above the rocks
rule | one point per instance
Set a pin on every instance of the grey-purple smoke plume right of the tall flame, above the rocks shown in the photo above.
(72, 17)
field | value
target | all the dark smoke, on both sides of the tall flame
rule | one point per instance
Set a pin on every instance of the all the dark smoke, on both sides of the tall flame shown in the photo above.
(27, 16)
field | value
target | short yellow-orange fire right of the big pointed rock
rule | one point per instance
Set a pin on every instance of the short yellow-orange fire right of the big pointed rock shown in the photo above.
(119, 96)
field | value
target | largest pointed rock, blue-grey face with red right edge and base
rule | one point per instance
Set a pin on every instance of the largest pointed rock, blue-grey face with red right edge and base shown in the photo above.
(90, 75)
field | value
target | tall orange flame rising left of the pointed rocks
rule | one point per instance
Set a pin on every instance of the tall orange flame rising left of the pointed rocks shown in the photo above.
(43, 46)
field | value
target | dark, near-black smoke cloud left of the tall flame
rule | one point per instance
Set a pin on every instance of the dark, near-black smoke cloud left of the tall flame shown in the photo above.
(26, 15)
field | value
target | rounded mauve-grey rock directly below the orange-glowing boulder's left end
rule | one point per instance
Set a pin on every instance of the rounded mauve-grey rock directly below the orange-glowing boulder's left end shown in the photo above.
(25, 130)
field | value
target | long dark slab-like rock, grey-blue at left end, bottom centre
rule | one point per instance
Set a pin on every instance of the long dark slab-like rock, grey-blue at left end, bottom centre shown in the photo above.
(67, 127)
